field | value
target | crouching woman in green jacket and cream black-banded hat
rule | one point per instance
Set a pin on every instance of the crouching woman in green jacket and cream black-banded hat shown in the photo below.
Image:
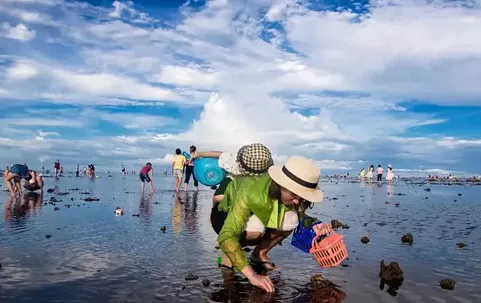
(261, 212)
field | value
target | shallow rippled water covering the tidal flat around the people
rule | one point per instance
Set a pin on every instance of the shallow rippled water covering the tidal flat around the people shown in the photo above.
(93, 255)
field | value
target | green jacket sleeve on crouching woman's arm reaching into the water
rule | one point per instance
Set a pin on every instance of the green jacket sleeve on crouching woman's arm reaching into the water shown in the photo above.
(230, 234)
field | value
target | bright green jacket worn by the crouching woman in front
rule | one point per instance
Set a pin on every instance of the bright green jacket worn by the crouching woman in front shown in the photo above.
(243, 197)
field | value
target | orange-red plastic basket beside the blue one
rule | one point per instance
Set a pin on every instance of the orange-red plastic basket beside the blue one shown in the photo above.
(330, 251)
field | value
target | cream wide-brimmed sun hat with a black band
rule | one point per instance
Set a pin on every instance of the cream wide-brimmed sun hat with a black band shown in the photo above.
(300, 176)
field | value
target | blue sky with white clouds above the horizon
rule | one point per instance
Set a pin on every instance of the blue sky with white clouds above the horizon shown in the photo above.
(347, 83)
